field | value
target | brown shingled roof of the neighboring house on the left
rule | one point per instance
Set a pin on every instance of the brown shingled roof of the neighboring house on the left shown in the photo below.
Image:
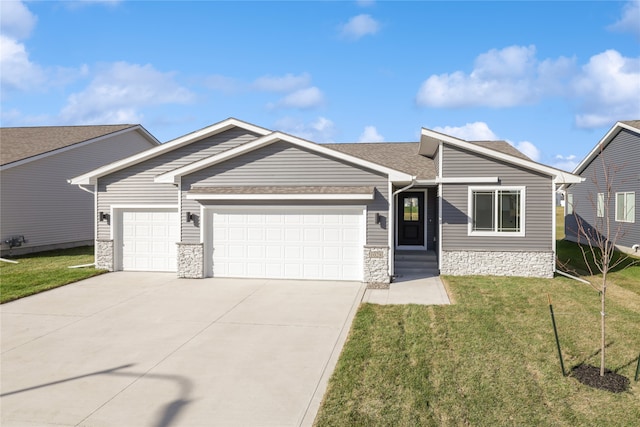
(21, 144)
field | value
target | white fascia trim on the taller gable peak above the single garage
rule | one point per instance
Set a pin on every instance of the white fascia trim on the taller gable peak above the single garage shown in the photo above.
(90, 177)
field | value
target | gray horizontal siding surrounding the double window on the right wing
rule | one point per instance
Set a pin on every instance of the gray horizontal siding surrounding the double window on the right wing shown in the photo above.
(455, 210)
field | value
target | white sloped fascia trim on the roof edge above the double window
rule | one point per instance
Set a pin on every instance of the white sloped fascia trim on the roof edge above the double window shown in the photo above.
(560, 177)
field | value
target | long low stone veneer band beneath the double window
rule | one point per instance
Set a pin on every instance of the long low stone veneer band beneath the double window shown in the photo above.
(485, 263)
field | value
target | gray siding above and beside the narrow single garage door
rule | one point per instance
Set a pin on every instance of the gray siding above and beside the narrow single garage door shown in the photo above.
(135, 186)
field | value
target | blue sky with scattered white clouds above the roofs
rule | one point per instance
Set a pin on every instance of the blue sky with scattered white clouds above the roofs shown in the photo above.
(550, 77)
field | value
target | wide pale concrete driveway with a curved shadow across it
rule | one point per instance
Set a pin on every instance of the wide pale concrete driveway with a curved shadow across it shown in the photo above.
(148, 349)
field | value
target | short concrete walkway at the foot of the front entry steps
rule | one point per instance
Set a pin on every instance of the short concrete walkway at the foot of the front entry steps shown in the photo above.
(410, 290)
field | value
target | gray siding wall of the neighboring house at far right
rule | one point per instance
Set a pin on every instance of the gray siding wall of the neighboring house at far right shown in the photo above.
(623, 154)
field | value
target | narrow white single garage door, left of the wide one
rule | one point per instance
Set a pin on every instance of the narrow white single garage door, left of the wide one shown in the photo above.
(149, 238)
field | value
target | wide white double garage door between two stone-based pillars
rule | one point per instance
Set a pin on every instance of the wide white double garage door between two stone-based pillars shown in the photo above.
(289, 243)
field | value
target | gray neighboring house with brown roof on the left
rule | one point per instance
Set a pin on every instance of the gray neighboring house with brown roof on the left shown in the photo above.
(39, 210)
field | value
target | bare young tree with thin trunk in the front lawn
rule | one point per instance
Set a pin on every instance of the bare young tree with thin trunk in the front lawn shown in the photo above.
(601, 237)
